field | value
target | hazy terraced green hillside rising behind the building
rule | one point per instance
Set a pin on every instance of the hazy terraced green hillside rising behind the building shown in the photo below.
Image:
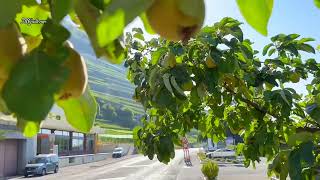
(108, 83)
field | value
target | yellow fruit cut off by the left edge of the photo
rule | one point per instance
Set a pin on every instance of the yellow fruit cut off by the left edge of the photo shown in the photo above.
(11, 50)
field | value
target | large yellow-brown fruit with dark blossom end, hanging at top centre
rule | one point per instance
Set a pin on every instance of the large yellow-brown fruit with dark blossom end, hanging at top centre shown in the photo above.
(170, 21)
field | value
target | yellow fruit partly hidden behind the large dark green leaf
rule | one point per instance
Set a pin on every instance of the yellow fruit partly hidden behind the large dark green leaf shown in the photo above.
(77, 81)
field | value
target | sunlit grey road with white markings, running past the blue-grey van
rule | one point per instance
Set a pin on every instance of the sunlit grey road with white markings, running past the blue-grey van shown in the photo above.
(132, 168)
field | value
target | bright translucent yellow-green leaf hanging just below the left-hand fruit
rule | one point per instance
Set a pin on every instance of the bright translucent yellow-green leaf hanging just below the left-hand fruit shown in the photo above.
(80, 112)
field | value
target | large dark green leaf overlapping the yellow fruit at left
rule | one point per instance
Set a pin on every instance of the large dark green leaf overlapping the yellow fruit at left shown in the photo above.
(33, 82)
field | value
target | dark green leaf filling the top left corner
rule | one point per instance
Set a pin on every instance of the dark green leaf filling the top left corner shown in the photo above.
(8, 11)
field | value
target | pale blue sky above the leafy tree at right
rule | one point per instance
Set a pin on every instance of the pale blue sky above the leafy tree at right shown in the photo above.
(289, 16)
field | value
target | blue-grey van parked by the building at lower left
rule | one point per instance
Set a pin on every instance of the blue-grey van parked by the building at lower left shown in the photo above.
(42, 164)
